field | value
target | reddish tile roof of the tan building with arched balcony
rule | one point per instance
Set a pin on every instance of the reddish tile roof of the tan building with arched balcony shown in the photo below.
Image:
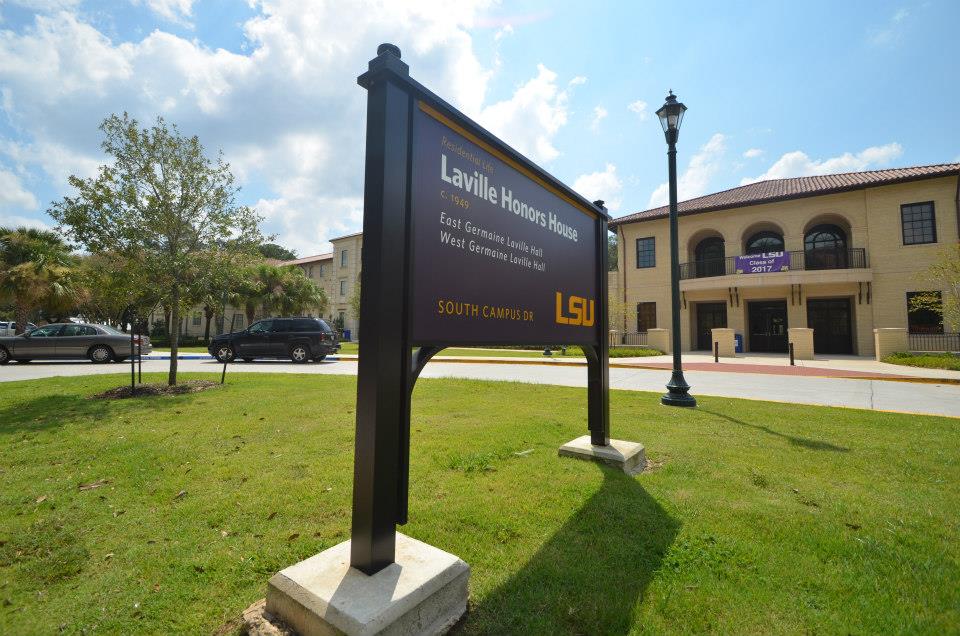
(795, 188)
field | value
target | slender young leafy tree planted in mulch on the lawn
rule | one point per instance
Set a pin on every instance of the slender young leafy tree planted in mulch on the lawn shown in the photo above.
(162, 204)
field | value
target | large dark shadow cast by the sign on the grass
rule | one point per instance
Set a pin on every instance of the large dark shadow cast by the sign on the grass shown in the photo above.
(588, 578)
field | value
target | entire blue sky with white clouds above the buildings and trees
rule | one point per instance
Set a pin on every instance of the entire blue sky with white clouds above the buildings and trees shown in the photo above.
(774, 89)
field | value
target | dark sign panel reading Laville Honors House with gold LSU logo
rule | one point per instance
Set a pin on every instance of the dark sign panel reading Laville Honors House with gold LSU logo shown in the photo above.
(498, 256)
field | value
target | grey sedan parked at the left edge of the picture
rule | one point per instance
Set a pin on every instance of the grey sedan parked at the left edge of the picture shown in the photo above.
(98, 343)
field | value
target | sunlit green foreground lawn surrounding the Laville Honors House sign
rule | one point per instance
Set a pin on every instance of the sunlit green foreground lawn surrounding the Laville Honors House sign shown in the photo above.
(762, 518)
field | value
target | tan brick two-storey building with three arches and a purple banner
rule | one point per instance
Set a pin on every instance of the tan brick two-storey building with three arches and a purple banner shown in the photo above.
(840, 254)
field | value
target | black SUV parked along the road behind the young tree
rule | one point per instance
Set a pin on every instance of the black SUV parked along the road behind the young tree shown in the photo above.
(300, 339)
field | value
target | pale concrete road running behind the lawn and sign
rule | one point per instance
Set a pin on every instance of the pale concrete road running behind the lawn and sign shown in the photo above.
(882, 395)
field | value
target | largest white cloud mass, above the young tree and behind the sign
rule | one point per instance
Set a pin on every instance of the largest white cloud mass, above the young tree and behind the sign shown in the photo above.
(287, 113)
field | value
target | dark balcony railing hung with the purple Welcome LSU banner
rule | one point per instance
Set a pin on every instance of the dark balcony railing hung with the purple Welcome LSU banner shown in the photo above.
(802, 260)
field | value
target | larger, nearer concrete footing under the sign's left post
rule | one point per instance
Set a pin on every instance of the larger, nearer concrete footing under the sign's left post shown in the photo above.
(423, 592)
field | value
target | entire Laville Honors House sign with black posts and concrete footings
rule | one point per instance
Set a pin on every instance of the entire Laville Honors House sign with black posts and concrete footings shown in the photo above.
(466, 242)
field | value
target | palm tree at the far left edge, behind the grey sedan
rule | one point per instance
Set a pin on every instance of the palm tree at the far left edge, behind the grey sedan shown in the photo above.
(35, 269)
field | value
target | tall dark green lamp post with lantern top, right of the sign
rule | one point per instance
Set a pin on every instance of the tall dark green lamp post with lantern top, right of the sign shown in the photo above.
(671, 115)
